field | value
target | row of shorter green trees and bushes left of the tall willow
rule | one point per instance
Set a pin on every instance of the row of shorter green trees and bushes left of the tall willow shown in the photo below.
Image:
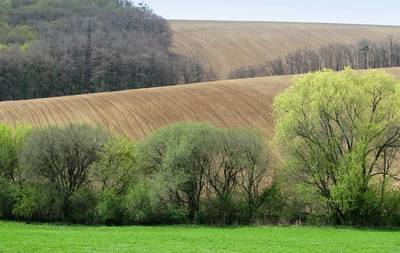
(185, 173)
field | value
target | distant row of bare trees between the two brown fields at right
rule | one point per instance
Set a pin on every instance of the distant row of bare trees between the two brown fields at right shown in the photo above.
(365, 54)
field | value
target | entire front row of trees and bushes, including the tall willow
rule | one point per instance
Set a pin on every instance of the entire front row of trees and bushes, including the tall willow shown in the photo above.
(336, 161)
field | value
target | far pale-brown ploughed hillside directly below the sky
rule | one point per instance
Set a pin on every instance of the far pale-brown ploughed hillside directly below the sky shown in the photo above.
(226, 46)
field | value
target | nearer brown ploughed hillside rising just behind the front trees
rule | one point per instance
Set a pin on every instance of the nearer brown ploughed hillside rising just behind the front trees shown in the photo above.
(136, 113)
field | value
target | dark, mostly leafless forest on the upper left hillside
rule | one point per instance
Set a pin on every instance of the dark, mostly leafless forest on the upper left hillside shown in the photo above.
(64, 47)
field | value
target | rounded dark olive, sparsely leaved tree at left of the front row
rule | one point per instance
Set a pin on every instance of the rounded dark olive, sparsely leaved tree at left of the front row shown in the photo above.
(61, 157)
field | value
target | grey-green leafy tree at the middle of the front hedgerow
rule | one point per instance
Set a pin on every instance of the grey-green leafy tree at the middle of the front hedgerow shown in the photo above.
(182, 152)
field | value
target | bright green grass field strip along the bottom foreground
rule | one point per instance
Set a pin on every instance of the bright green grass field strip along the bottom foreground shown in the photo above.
(19, 237)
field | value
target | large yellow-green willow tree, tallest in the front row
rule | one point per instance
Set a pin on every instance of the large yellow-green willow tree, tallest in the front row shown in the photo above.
(341, 134)
